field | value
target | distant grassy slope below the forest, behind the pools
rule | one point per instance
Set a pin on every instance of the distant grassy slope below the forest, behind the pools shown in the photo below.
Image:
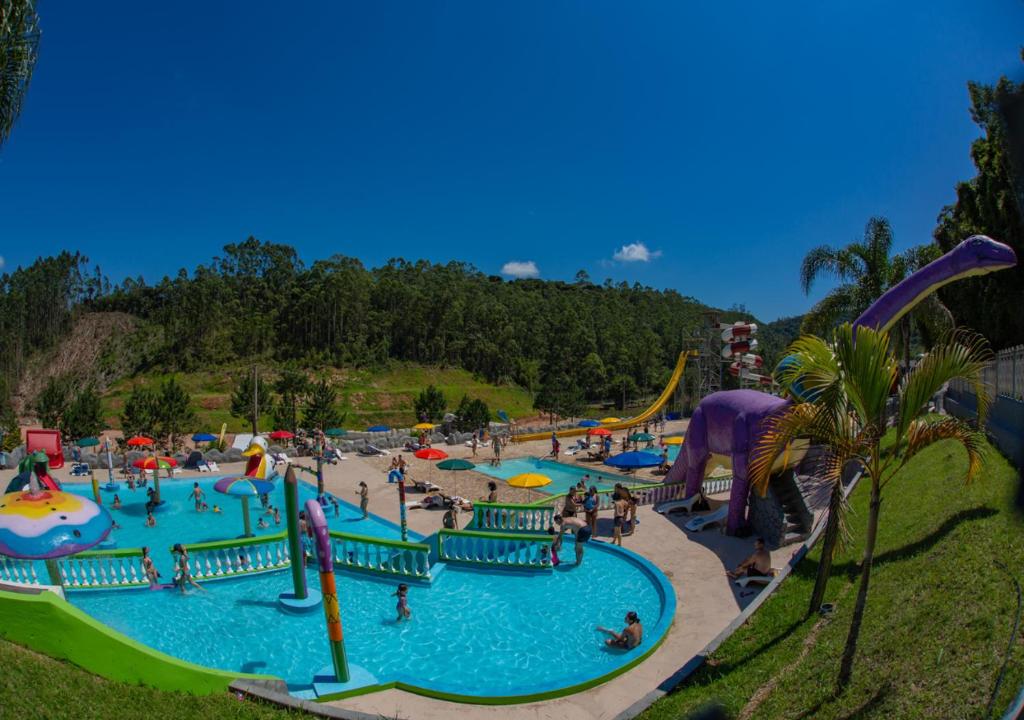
(368, 397)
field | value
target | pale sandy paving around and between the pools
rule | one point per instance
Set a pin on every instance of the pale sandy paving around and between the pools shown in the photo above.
(707, 602)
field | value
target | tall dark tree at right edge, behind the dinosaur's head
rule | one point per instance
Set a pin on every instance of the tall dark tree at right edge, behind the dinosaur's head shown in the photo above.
(988, 204)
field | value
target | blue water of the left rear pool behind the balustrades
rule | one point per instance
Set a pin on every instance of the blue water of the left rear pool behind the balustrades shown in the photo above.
(178, 521)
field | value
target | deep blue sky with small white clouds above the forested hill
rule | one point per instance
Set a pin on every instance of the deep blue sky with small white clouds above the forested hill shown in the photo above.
(708, 145)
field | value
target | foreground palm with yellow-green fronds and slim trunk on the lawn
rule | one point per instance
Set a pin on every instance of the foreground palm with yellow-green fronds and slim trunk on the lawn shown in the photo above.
(854, 377)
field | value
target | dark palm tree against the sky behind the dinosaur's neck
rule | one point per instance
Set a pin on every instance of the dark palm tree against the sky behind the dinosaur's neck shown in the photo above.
(866, 271)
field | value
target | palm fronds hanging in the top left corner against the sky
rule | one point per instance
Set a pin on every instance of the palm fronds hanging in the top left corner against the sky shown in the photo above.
(19, 44)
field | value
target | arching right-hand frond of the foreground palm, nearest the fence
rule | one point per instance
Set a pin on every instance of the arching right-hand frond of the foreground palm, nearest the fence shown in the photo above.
(962, 355)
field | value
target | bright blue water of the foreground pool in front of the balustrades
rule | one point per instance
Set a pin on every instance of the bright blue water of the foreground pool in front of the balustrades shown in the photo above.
(474, 632)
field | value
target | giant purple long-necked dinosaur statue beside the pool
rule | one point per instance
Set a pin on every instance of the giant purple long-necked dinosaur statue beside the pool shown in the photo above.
(730, 422)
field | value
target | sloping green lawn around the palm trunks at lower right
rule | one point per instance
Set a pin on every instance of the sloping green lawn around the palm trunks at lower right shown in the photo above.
(938, 619)
